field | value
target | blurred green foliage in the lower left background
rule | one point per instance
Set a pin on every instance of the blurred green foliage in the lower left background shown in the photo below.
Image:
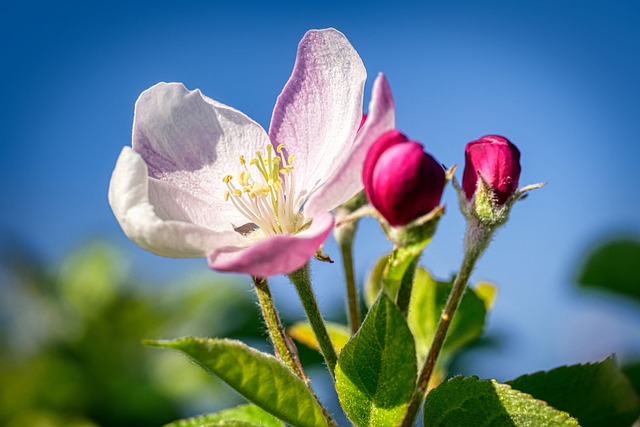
(71, 351)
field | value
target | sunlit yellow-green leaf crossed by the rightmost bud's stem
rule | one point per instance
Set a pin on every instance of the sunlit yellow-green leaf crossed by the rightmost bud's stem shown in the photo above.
(428, 299)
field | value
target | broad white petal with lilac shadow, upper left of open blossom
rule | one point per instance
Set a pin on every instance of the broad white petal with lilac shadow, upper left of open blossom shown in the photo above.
(191, 142)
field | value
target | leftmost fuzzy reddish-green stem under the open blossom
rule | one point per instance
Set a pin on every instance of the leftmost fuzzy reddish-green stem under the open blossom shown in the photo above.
(275, 328)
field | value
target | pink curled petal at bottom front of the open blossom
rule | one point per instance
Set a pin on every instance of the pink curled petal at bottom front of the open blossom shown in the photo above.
(278, 254)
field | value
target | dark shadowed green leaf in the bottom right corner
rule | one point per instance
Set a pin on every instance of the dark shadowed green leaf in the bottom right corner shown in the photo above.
(597, 394)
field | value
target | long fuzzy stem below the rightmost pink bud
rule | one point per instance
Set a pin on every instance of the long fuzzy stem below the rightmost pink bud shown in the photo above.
(477, 239)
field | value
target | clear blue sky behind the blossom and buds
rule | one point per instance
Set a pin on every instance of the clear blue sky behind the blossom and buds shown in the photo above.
(559, 78)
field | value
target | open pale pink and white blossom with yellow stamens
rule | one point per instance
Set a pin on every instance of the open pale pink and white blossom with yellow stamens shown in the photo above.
(204, 180)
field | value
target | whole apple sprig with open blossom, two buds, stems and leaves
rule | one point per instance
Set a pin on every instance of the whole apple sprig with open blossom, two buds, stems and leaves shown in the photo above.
(202, 179)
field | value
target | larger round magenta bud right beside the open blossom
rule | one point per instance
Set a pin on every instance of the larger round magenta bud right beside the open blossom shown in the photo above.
(401, 181)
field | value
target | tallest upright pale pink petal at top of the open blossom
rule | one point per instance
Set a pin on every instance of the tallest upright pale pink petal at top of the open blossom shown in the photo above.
(318, 112)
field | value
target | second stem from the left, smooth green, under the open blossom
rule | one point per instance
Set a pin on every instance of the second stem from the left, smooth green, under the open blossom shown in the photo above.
(302, 281)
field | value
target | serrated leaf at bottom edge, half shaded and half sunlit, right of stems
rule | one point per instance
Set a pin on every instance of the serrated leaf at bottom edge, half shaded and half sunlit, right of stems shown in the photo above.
(473, 402)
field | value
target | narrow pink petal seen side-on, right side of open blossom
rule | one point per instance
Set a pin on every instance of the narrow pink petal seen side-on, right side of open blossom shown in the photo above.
(347, 180)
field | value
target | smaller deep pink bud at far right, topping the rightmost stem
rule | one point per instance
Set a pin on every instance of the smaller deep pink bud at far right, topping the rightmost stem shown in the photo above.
(497, 160)
